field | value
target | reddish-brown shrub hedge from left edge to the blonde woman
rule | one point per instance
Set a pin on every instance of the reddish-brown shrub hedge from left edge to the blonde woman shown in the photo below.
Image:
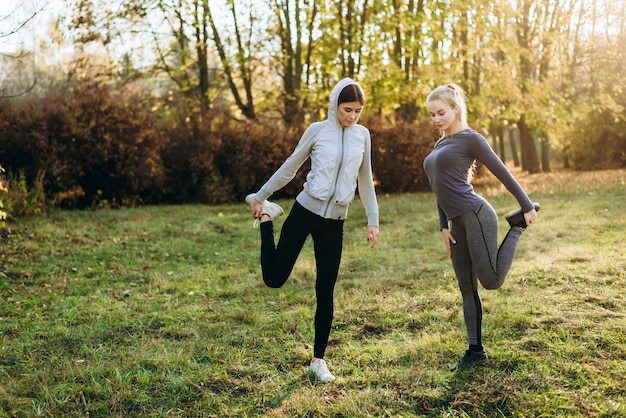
(101, 147)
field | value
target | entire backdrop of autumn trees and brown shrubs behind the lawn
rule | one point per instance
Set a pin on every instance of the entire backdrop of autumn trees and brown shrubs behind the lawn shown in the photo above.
(205, 108)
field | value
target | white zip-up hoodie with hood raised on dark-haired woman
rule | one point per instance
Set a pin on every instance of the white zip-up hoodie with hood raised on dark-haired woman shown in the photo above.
(340, 161)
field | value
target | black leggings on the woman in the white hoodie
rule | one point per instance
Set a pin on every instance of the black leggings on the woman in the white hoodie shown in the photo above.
(277, 261)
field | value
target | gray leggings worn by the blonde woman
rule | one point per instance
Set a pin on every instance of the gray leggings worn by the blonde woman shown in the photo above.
(476, 256)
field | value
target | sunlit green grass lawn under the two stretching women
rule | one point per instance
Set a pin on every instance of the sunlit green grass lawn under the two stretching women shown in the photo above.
(160, 311)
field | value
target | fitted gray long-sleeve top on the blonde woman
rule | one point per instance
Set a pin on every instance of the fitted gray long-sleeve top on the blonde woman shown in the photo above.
(447, 167)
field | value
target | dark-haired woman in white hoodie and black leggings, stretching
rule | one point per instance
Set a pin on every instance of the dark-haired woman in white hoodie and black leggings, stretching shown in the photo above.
(340, 153)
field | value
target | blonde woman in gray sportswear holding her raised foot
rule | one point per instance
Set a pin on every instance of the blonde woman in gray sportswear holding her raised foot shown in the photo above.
(468, 223)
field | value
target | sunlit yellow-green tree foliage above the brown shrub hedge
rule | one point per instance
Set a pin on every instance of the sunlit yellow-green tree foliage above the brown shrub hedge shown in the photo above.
(513, 60)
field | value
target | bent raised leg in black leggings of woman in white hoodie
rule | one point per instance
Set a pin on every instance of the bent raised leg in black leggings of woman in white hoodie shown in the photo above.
(277, 261)
